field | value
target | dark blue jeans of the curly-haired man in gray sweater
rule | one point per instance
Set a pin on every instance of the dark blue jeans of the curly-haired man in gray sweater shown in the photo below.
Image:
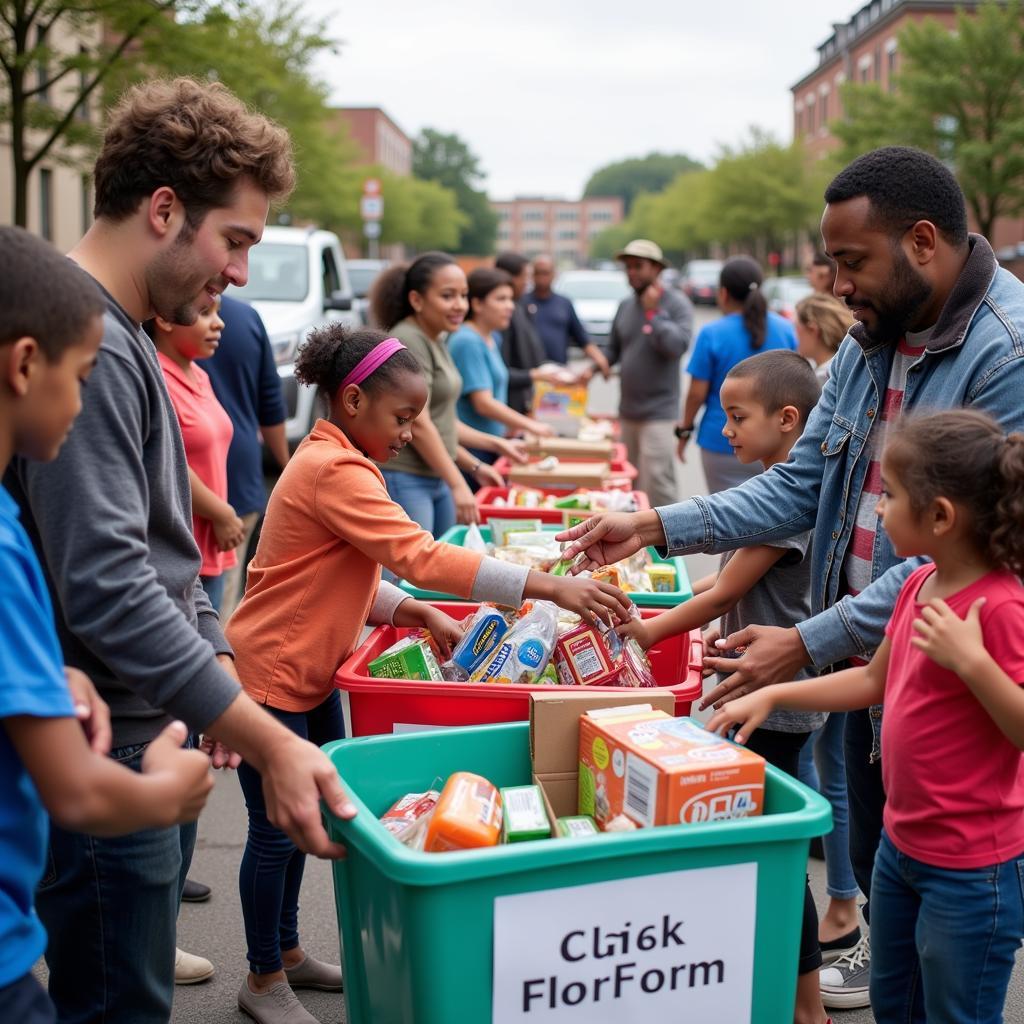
(110, 908)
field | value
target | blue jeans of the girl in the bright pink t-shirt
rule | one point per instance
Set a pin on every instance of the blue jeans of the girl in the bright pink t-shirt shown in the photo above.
(944, 942)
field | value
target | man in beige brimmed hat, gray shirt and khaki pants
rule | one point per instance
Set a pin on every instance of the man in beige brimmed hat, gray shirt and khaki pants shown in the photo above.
(650, 335)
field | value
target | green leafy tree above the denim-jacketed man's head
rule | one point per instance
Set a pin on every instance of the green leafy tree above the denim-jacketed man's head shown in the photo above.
(960, 96)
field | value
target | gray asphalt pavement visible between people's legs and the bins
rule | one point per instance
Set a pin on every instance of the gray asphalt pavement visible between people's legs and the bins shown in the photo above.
(215, 929)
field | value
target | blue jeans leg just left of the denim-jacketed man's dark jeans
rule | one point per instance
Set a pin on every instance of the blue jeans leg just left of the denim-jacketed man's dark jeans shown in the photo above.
(823, 769)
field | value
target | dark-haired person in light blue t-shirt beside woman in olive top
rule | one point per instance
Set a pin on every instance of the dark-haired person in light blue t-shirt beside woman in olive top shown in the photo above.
(478, 355)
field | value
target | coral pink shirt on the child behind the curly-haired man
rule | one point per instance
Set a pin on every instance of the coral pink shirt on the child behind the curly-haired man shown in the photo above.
(206, 431)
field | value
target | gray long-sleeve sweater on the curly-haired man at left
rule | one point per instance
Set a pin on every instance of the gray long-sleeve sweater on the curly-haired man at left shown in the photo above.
(111, 519)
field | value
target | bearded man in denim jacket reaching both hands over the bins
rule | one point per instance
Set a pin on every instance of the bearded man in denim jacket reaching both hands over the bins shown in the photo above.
(897, 225)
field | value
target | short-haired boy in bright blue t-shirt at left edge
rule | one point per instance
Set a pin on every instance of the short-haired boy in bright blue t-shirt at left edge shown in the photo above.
(55, 730)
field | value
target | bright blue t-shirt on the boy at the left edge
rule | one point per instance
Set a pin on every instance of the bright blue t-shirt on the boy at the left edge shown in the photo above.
(32, 682)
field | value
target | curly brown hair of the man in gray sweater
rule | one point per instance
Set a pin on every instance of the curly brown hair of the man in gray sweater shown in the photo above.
(197, 139)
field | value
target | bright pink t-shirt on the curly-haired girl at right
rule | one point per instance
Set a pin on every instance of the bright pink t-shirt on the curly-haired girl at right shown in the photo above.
(955, 785)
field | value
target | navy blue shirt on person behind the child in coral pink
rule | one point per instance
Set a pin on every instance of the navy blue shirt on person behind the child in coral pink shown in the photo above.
(246, 383)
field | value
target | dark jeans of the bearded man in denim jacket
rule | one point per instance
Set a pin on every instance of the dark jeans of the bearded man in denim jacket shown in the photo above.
(867, 798)
